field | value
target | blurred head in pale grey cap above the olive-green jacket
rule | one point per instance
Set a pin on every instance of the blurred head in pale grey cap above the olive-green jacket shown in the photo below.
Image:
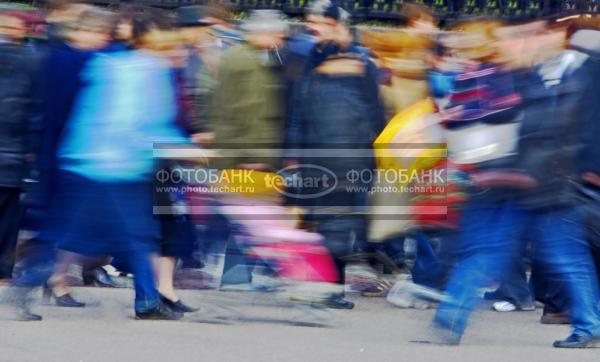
(265, 29)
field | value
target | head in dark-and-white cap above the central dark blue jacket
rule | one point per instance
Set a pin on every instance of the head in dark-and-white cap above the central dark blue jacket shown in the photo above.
(329, 23)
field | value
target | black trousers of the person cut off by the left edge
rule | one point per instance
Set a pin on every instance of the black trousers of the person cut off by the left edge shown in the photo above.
(9, 227)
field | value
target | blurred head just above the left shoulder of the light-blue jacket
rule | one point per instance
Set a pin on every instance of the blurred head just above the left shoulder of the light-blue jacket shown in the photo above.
(91, 30)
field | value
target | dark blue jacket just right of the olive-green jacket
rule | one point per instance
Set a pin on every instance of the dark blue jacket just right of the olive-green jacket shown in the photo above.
(336, 110)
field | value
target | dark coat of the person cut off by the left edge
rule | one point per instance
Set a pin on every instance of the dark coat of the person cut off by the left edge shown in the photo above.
(19, 126)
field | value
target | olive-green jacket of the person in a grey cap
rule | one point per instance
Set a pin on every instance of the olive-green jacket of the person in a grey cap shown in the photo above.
(247, 109)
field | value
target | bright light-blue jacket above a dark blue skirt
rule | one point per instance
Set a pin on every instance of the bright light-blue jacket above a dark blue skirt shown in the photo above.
(127, 104)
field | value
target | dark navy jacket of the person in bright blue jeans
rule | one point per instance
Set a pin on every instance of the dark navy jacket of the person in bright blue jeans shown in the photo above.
(550, 144)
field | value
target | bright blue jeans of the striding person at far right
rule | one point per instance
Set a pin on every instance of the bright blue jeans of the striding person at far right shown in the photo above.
(489, 241)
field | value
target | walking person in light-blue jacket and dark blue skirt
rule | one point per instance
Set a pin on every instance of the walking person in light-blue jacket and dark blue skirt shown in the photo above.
(103, 200)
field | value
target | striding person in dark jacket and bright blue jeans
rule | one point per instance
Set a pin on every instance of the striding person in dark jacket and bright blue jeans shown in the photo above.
(541, 201)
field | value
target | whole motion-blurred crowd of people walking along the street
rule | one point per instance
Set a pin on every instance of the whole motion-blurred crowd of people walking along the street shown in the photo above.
(86, 94)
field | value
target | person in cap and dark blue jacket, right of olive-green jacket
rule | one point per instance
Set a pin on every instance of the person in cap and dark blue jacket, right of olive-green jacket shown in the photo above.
(336, 105)
